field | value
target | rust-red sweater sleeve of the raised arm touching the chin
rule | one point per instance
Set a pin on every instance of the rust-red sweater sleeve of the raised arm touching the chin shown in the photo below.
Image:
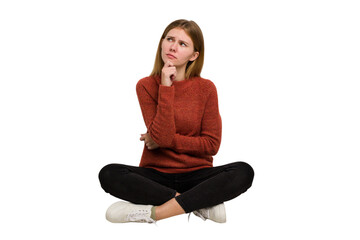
(158, 116)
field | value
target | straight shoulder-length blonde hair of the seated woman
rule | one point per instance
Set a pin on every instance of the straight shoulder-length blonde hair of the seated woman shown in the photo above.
(193, 68)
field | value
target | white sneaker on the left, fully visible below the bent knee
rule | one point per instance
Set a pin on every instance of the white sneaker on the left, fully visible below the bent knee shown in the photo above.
(122, 212)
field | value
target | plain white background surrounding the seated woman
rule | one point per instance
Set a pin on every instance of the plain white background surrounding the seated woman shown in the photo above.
(287, 74)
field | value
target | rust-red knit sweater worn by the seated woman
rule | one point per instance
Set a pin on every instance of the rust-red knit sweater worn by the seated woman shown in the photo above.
(184, 120)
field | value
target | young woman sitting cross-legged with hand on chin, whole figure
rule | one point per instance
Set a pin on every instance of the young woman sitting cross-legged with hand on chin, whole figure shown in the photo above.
(180, 110)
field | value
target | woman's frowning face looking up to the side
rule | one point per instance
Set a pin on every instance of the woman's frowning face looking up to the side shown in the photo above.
(178, 48)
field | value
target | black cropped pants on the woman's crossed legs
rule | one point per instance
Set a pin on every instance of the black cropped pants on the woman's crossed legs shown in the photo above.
(199, 189)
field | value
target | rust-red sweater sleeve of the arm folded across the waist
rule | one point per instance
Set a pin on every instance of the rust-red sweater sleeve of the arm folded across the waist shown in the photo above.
(208, 143)
